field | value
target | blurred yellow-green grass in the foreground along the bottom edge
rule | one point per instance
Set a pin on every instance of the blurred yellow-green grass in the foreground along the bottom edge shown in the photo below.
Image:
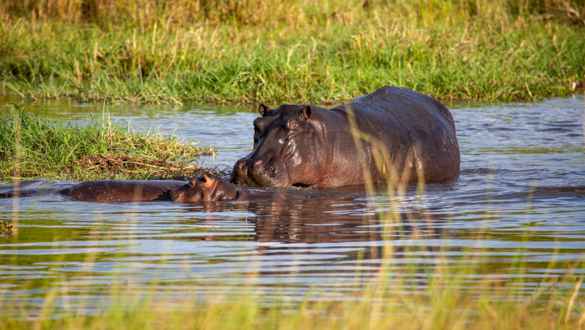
(433, 296)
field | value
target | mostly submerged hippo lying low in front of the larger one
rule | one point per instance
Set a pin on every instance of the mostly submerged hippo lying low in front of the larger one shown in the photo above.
(207, 187)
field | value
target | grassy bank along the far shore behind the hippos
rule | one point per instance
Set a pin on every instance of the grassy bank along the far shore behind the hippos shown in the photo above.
(295, 51)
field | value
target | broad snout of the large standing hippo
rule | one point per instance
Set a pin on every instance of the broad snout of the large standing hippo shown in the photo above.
(260, 172)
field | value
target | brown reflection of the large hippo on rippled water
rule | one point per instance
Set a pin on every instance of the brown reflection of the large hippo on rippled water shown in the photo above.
(333, 216)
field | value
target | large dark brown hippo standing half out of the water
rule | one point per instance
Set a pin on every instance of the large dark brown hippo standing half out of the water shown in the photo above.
(394, 133)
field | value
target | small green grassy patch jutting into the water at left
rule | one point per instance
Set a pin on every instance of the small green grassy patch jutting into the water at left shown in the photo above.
(34, 147)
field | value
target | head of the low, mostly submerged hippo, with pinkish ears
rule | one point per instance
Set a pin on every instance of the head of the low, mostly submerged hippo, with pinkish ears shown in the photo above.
(205, 188)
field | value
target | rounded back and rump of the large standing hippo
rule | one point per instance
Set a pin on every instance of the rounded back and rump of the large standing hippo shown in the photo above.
(417, 131)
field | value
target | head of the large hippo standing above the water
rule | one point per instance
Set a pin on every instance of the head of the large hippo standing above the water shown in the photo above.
(287, 149)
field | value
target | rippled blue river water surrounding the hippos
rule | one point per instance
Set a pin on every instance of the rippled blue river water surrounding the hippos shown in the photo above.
(521, 193)
